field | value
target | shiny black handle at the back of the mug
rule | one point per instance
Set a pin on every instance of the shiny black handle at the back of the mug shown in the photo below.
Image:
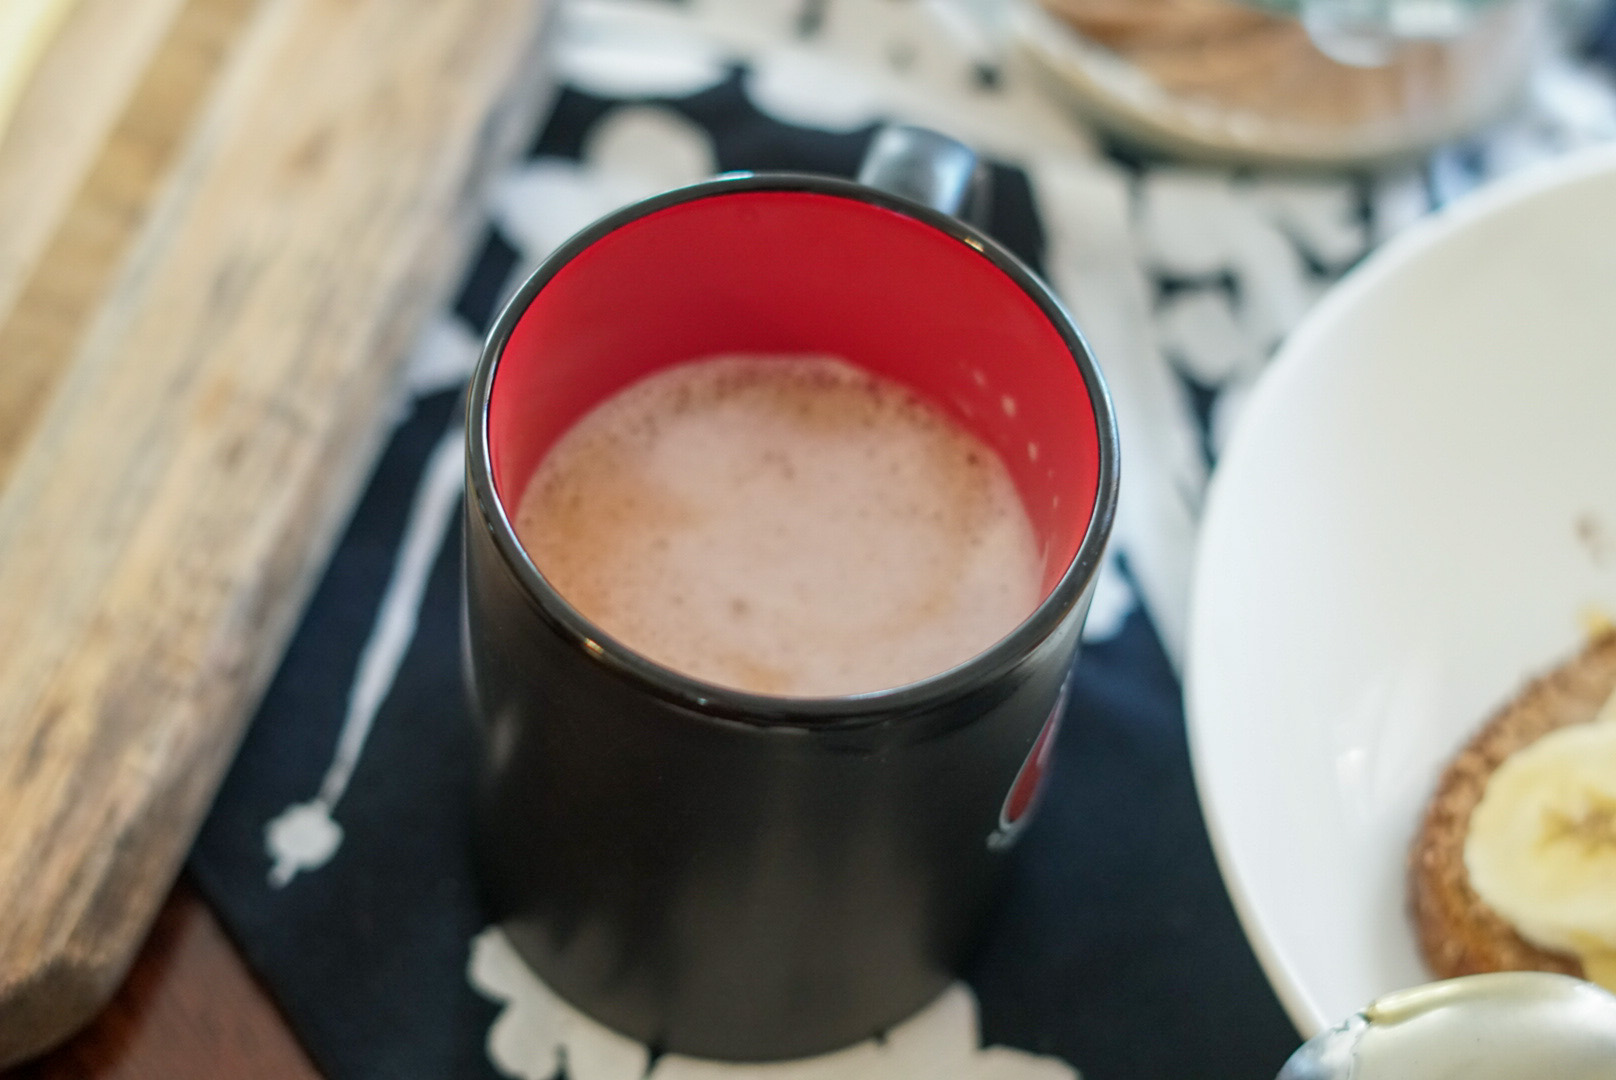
(932, 169)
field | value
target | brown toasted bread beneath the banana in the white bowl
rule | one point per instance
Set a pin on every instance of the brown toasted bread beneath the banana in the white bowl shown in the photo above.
(1458, 932)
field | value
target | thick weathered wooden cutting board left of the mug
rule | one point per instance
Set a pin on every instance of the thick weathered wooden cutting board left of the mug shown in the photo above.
(222, 224)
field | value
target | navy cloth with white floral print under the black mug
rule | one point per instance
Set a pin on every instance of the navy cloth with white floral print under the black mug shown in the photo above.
(337, 851)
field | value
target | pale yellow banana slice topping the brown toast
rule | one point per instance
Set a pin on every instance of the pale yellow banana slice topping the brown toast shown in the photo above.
(1542, 843)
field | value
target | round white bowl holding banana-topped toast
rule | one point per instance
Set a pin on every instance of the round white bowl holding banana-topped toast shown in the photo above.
(1415, 515)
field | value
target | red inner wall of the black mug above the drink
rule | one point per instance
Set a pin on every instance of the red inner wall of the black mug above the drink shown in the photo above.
(799, 272)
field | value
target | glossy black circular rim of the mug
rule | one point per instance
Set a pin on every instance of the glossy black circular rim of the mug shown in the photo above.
(772, 711)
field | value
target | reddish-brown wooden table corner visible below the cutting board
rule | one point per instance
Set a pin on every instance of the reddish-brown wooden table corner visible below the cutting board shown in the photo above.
(190, 1010)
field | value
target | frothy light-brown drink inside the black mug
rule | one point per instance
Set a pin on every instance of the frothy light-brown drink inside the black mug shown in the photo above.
(786, 526)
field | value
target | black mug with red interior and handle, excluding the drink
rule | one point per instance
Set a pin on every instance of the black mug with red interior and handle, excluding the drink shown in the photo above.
(738, 875)
